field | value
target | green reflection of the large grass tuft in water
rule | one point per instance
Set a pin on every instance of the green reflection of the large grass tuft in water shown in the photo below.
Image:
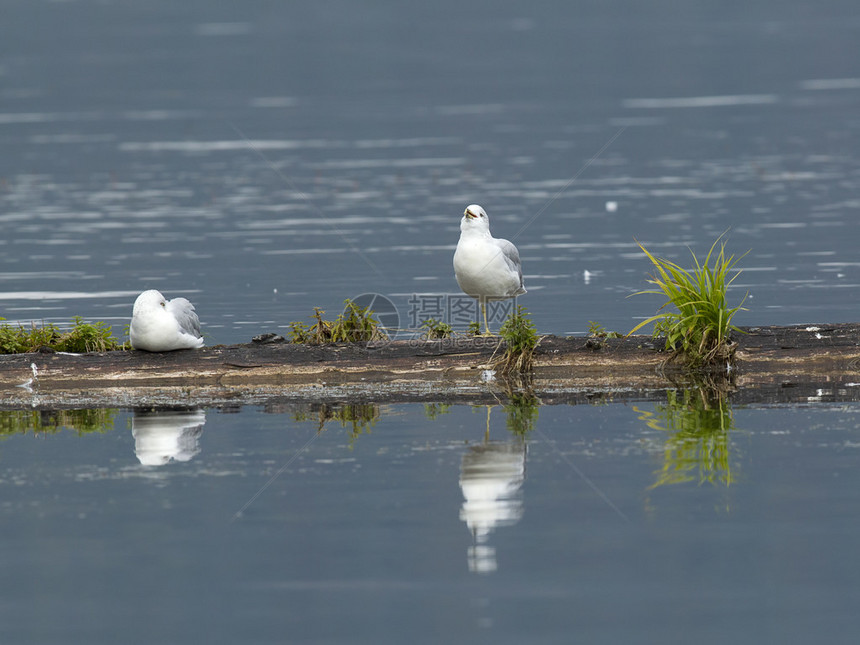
(696, 447)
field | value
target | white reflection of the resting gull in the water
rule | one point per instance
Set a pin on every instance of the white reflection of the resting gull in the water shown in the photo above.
(164, 435)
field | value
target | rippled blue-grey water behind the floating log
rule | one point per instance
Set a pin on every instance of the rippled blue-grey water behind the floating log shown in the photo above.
(267, 159)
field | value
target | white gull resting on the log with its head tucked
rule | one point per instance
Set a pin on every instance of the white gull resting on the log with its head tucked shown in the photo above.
(159, 325)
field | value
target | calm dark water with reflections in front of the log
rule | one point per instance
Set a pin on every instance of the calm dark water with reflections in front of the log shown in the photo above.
(638, 522)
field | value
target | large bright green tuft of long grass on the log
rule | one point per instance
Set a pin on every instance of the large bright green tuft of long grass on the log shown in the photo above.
(698, 331)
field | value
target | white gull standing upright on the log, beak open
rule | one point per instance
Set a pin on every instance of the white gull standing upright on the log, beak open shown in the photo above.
(486, 268)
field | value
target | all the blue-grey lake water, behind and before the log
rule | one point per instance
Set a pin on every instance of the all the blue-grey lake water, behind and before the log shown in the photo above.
(265, 158)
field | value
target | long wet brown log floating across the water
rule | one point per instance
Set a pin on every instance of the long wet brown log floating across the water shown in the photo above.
(774, 364)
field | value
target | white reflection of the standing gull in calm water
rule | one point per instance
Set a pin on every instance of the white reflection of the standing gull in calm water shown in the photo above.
(491, 477)
